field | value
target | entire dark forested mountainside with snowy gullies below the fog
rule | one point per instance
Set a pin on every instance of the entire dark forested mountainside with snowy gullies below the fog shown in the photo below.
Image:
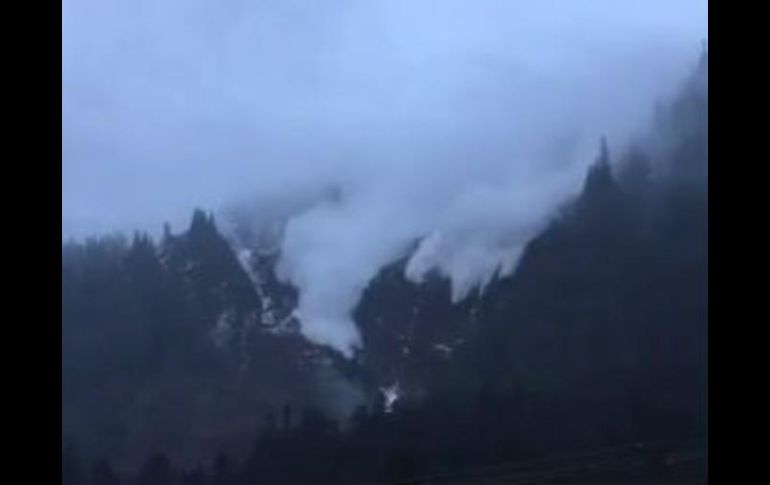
(182, 360)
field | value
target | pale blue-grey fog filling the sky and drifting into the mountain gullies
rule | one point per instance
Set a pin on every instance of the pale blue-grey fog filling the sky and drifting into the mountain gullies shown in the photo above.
(462, 123)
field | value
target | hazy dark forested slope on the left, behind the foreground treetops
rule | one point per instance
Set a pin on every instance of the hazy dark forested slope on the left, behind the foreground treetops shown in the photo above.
(166, 345)
